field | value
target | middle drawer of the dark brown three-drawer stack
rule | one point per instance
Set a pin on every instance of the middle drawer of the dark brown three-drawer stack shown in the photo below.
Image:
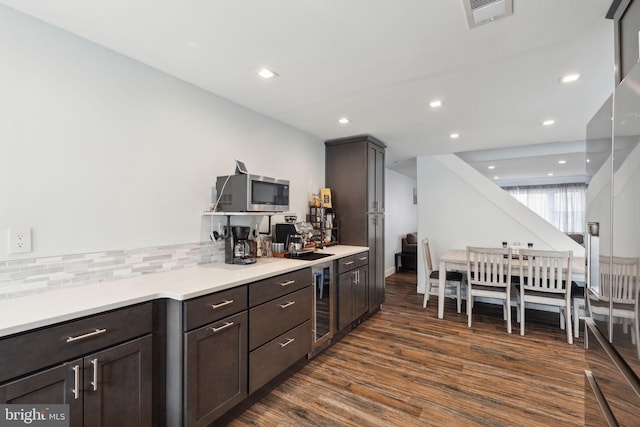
(274, 317)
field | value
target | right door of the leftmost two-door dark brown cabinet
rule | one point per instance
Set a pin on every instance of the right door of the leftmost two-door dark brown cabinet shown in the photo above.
(117, 385)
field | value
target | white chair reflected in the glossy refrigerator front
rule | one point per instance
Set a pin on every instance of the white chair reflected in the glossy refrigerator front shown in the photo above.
(620, 282)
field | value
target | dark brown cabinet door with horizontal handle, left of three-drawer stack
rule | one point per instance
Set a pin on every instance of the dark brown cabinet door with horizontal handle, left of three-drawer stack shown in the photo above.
(216, 369)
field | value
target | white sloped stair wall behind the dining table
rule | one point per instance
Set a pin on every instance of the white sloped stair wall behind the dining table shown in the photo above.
(458, 206)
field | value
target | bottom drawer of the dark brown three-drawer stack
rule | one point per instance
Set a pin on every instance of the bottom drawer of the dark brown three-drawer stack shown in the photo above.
(273, 358)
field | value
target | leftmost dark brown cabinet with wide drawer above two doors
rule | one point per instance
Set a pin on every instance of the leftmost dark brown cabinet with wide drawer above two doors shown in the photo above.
(108, 386)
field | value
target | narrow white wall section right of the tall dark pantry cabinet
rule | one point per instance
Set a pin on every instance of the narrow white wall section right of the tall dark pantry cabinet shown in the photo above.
(401, 215)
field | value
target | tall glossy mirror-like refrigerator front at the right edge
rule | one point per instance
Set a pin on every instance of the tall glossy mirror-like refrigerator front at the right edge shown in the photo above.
(612, 339)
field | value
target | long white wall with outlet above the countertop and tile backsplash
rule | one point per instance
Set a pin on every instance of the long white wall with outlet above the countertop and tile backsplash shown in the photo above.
(99, 152)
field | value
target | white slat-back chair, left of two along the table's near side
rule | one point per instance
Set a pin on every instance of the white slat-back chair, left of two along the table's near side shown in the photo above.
(489, 275)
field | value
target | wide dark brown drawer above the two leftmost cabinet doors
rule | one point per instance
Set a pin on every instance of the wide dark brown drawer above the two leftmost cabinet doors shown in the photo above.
(35, 350)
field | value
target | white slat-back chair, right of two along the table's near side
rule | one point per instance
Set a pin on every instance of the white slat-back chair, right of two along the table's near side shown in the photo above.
(545, 278)
